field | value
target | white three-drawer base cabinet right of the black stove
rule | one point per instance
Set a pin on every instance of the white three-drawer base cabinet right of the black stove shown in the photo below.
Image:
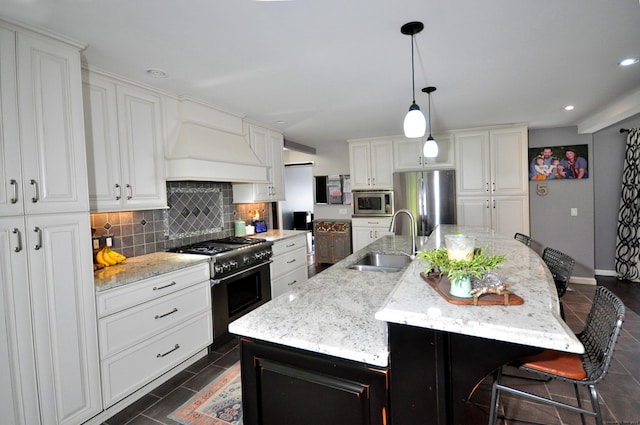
(289, 266)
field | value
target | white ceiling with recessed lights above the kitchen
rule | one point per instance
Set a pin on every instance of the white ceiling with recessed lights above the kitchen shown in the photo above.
(341, 69)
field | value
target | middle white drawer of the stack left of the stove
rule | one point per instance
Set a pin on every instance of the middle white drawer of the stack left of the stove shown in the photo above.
(129, 327)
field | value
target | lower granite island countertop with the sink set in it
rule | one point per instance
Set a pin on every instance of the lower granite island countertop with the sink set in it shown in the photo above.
(332, 313)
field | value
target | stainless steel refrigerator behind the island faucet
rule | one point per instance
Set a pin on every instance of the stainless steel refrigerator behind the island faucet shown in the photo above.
(429, 195)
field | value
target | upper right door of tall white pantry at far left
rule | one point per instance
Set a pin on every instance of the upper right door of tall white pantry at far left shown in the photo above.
(51, 126)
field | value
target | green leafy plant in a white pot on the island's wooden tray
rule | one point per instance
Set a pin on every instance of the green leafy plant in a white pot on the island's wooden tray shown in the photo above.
(460, 271)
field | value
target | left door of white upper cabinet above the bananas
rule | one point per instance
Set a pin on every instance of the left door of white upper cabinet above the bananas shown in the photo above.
(103, 145)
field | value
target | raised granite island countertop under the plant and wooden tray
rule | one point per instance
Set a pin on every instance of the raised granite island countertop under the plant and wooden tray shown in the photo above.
(536, 323)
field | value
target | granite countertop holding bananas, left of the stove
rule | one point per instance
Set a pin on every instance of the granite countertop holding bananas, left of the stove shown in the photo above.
(141, 267)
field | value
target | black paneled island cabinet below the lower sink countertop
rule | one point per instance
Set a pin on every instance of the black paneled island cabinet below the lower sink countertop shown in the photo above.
(287, 386)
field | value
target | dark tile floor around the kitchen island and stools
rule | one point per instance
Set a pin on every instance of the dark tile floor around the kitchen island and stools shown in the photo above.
(620, 391)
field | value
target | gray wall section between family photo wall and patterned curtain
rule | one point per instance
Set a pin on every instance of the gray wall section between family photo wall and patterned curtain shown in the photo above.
(608, 152)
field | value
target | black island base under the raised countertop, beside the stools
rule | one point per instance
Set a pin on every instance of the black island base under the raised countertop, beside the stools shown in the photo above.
(434, 373)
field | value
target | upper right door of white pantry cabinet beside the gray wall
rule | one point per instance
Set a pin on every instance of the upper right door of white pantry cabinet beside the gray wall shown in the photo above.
(509, 171)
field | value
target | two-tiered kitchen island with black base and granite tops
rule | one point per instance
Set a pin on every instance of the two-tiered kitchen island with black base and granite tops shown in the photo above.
(385, 346)
